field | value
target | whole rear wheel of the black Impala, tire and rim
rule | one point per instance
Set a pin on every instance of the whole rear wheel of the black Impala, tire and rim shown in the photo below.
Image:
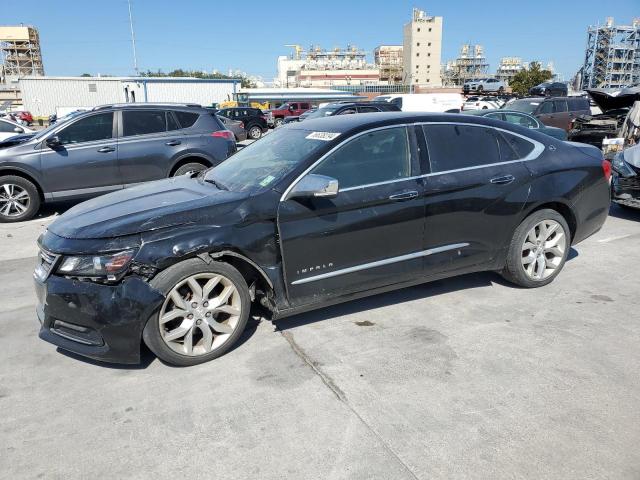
(538, 249)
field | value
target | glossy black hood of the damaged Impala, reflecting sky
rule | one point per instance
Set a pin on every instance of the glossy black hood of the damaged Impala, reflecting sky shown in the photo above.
(151, 206)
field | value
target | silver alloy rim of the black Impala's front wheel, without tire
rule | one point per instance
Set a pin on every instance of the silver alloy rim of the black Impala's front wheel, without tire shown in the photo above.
(200, 314)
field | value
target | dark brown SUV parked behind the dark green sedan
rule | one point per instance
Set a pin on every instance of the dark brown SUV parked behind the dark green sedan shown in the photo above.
(552, 111)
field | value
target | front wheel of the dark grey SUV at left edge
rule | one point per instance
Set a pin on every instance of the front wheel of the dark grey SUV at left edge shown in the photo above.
(19, 199)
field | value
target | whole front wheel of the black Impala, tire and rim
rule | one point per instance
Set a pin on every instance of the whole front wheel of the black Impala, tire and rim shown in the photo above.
(204, 313)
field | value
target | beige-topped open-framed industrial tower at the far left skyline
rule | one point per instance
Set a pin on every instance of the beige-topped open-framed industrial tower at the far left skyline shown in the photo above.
(20, 52)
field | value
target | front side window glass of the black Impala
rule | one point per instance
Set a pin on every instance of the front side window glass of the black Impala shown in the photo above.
(373, 157)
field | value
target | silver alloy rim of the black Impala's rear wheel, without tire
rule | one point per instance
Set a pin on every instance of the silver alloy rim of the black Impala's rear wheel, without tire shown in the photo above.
(543, 249)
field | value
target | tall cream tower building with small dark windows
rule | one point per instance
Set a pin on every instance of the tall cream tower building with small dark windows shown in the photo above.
(422, 50)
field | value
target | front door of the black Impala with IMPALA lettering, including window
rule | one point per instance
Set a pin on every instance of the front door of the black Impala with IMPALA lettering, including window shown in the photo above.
(370, 234)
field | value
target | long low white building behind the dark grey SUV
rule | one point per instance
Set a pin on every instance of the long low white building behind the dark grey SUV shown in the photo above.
(42, 96)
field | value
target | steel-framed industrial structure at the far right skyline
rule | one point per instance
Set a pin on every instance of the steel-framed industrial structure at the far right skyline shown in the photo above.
(612, 56)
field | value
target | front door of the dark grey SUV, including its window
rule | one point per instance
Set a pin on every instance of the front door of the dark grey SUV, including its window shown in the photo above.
(86, 161)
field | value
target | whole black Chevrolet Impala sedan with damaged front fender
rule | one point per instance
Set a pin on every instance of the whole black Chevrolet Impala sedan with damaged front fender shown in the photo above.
(313, 214)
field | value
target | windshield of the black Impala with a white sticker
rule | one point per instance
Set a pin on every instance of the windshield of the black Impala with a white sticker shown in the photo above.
(263, 163)
